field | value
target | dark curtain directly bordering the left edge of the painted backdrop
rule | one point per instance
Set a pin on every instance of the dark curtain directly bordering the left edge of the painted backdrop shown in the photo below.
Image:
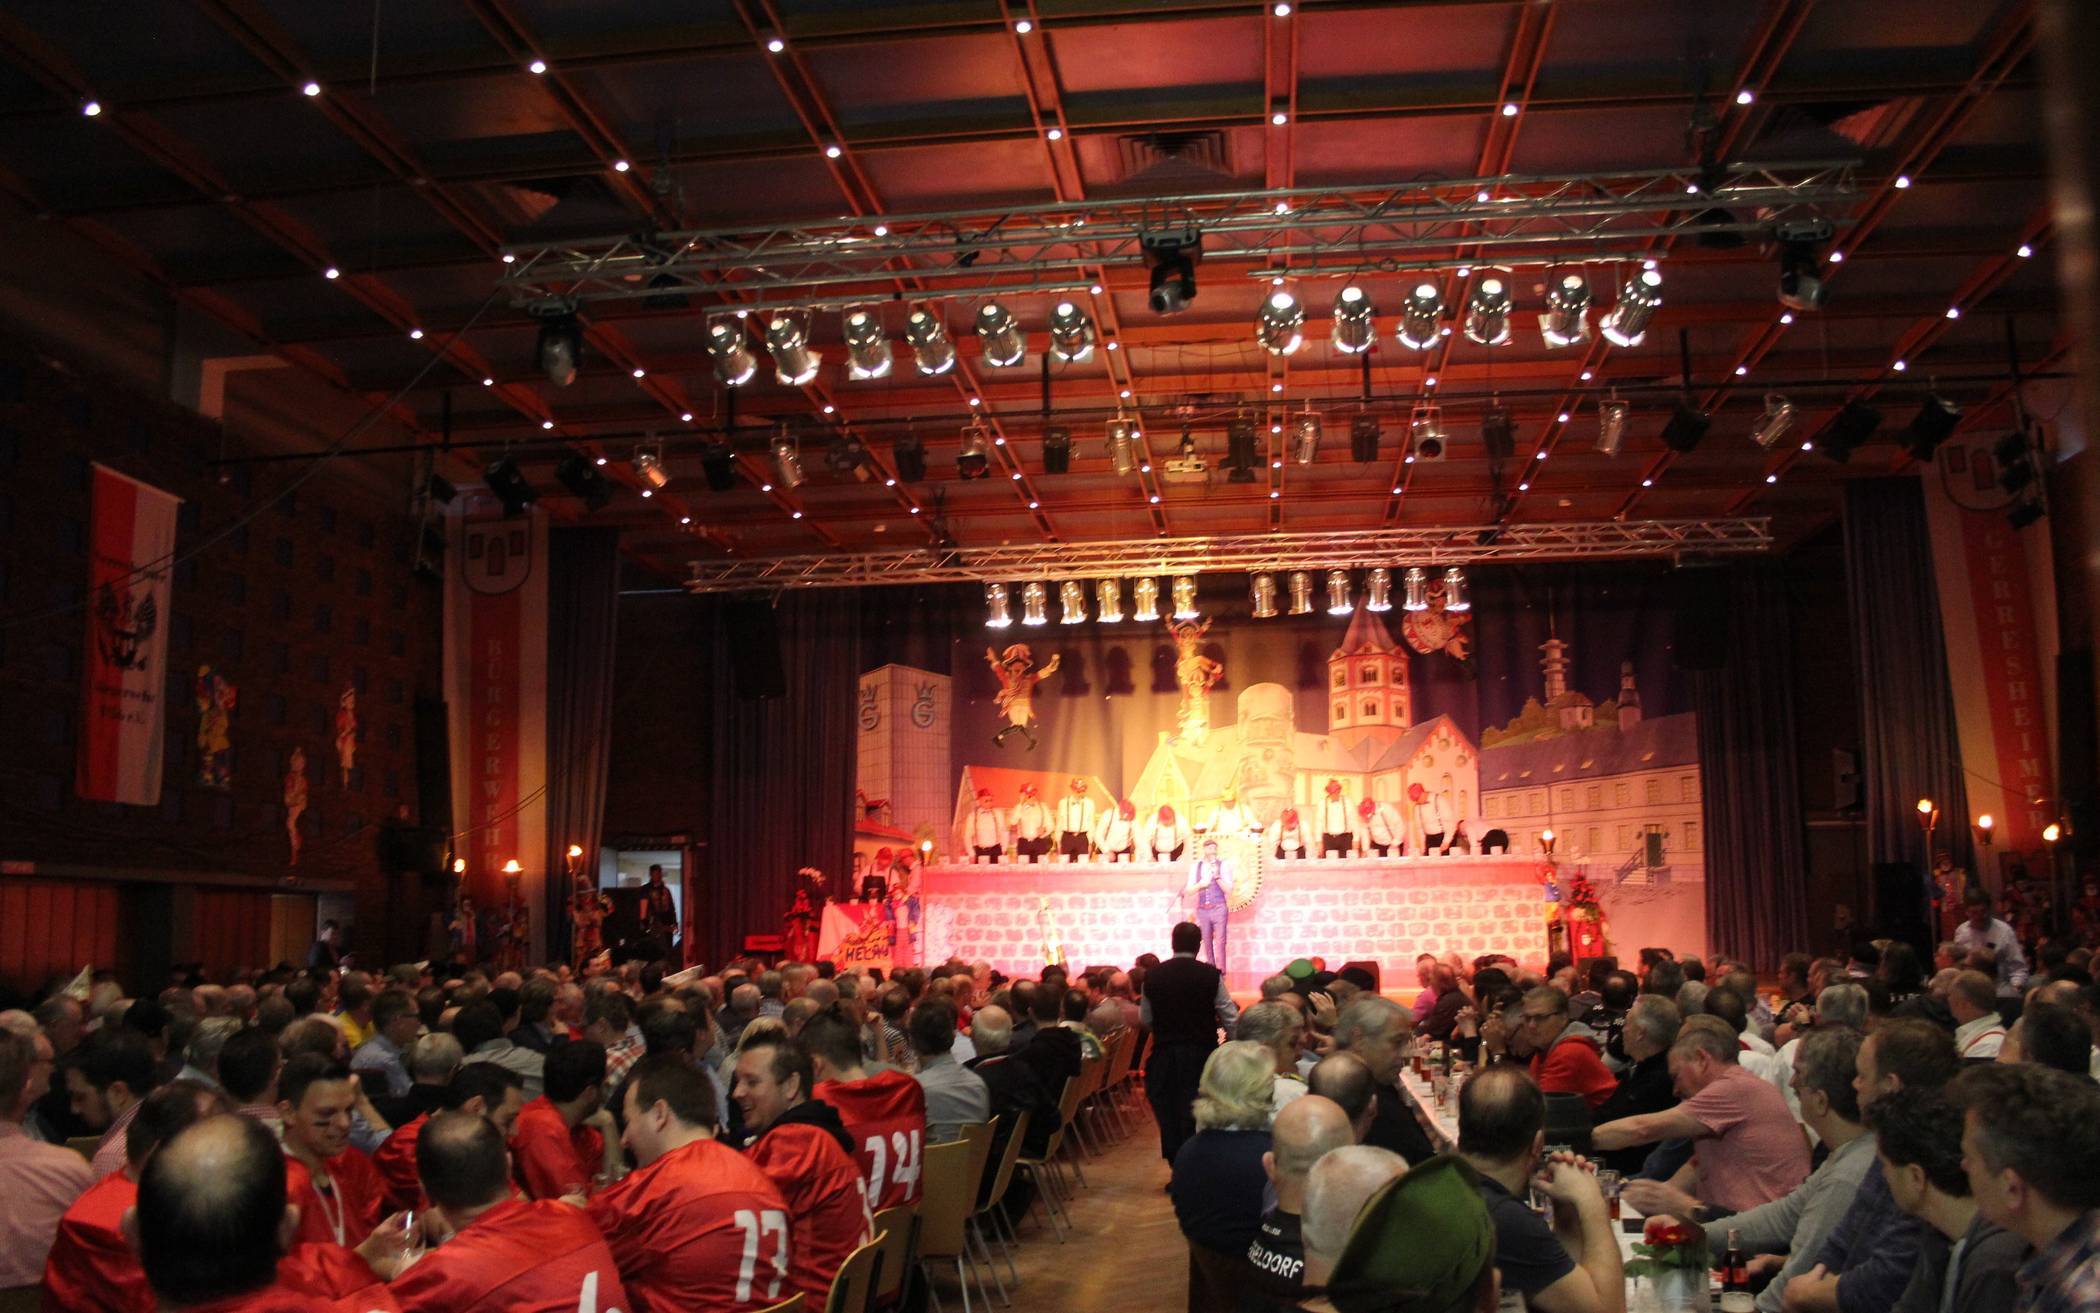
(782, 770)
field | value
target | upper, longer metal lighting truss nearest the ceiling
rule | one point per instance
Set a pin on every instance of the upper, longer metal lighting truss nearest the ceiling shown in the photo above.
(1316, 232)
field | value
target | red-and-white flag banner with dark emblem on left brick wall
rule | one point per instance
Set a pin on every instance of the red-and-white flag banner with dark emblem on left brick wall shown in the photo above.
(125, 675)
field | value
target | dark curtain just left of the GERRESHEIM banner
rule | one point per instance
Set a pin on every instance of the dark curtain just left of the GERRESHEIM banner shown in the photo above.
(1908, 715)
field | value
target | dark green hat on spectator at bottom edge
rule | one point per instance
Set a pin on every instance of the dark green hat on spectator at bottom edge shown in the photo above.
(1419, 1245)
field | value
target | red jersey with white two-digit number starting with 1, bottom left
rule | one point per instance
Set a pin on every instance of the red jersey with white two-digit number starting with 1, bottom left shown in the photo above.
(698, 1232)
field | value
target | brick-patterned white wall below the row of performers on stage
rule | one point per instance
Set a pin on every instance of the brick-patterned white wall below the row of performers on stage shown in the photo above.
(1339, 911)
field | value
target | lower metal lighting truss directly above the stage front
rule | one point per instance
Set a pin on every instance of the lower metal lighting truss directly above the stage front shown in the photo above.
(1467, 545)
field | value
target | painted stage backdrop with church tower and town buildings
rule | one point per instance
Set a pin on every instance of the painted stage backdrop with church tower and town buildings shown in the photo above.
(1553, 705)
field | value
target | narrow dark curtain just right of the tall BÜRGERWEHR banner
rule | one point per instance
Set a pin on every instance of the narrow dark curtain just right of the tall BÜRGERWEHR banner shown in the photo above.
(583, 610)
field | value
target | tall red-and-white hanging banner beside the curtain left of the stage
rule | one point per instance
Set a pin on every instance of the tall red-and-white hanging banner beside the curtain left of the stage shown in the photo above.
(497, 699)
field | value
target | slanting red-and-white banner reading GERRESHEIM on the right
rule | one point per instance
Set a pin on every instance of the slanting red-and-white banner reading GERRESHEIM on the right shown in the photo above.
(2000, 619)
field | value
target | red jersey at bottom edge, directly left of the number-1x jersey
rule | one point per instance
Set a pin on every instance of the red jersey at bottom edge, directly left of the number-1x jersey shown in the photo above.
(520, 1257)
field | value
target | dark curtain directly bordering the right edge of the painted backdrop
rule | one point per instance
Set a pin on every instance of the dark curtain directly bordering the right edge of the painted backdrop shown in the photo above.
(1750, 774)
